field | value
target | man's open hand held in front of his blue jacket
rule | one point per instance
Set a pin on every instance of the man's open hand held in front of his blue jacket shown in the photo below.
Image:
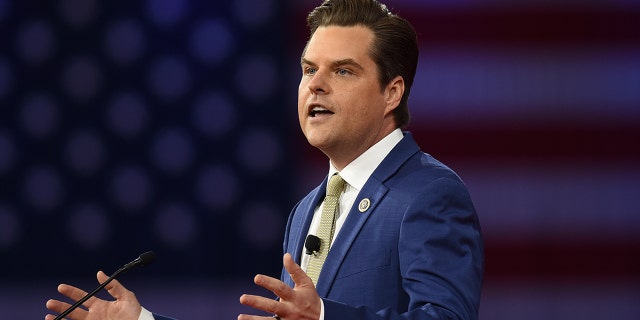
(300, 302)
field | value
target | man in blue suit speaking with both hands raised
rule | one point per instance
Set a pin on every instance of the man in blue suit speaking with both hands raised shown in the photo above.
(400, 238)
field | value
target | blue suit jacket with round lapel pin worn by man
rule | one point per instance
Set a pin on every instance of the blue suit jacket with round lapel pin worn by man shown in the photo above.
(415, 253)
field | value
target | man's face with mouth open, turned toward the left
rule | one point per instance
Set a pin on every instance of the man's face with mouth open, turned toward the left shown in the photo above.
(341, 107)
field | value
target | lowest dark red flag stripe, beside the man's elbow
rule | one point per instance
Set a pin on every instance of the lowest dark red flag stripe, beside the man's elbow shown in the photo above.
(509, 258)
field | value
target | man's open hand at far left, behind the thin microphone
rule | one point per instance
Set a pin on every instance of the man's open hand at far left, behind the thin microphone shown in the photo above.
(126, 306)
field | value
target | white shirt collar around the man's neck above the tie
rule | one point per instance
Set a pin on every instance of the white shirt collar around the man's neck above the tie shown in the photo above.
(359, 170)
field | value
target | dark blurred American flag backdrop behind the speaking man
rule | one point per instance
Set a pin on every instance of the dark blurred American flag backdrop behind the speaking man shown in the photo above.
(170, 125)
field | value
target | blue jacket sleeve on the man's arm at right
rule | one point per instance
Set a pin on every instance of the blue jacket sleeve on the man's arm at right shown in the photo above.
(441, 258)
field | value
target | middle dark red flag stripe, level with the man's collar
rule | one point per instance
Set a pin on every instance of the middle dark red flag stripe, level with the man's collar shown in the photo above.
(531, 142)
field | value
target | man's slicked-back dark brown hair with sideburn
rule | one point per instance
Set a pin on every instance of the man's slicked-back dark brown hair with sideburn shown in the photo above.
(395, 44)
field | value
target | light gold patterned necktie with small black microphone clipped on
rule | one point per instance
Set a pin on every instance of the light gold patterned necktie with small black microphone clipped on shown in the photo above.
(327, 225)
